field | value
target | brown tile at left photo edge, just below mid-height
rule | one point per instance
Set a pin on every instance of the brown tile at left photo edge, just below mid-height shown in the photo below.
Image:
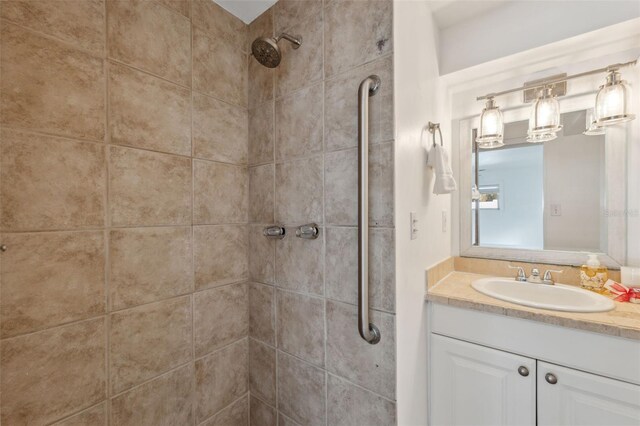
(51, 278)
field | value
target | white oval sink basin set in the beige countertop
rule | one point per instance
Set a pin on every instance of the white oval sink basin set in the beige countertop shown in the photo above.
(557, 297)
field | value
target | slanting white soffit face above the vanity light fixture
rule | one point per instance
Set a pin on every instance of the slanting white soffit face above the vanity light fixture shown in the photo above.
(517, 26)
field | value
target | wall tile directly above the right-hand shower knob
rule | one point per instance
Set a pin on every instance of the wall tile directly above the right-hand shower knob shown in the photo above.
(299, 191)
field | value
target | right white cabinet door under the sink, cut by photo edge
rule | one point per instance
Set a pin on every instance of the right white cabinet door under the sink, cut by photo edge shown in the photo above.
(579, 398)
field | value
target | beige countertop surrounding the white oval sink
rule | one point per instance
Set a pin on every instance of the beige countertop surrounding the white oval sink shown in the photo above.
(455, 290)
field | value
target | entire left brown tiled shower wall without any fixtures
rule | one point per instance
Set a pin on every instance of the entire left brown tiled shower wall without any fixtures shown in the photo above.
(124, 206)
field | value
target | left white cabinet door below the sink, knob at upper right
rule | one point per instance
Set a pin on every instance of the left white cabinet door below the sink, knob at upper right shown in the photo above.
(475, 385)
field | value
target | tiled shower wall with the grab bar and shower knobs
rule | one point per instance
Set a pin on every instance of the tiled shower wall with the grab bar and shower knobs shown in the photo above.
(308, 365)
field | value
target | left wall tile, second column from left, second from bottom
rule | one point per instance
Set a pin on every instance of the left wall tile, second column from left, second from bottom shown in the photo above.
(164, 326)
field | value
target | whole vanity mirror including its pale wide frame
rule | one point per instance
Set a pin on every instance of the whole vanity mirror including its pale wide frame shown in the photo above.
(548, 201)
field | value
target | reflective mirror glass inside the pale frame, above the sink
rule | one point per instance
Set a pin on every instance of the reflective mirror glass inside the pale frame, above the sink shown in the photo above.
(541, 196)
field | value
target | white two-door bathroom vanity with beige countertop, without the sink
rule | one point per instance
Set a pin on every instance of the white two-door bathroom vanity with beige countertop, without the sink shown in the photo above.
(497, 363)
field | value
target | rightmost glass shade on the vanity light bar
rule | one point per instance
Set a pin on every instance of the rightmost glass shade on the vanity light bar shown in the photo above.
(613, 101)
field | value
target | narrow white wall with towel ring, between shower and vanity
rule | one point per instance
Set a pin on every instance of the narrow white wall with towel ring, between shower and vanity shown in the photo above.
(416, 83)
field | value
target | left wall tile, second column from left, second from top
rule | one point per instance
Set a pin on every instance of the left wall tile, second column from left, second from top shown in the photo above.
(148, 112)
